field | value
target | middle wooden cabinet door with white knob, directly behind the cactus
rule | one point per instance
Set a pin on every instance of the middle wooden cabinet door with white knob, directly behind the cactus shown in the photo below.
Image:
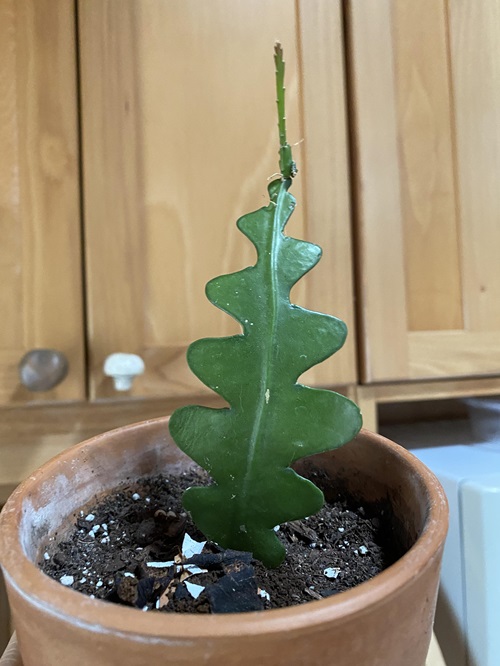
(179, 137)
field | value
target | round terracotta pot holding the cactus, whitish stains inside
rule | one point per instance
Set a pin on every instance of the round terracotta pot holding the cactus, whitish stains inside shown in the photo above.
(386, 621)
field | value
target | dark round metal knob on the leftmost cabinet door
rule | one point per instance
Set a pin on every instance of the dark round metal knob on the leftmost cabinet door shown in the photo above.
(42, 369)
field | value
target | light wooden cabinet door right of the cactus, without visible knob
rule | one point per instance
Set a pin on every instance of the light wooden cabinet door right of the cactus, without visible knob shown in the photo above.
(425, 88)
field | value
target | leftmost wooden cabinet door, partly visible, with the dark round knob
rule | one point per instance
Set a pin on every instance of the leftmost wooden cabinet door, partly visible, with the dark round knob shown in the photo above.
(40, 263)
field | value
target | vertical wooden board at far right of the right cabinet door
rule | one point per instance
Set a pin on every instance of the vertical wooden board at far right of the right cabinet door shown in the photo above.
(475, 74)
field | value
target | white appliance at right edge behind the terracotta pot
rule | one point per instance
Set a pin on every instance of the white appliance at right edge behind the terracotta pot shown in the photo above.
(468, 614)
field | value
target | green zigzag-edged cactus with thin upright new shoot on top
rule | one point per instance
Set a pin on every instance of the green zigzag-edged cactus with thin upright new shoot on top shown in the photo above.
(272, 421)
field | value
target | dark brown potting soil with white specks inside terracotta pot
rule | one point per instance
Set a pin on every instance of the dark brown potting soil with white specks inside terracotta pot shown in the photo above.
(108, 552)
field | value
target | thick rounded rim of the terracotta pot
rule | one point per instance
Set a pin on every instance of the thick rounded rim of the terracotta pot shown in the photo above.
(105, 617)
